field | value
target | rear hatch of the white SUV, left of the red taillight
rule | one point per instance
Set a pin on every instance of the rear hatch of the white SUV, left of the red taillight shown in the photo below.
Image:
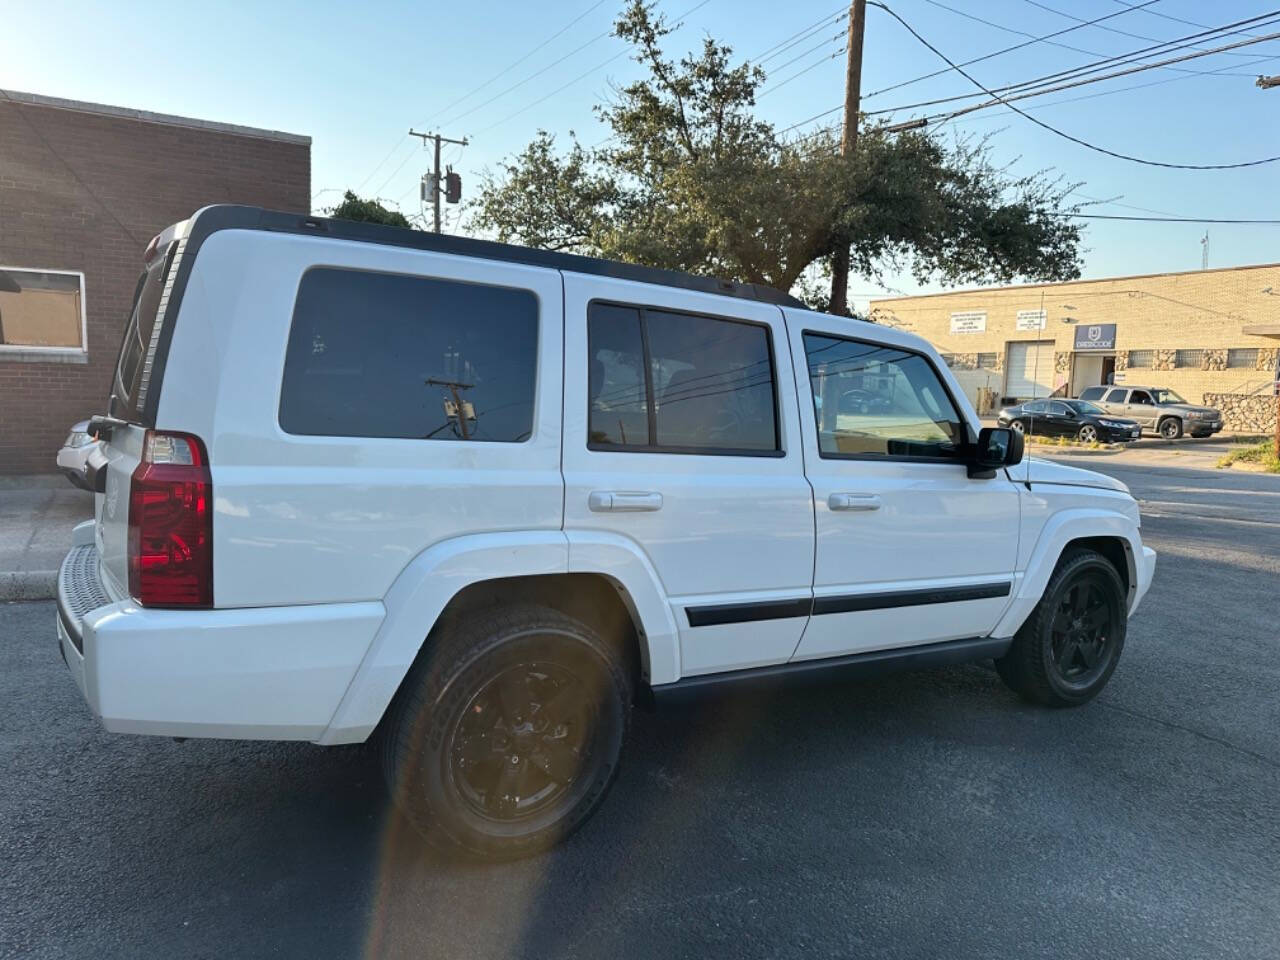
(134, 401)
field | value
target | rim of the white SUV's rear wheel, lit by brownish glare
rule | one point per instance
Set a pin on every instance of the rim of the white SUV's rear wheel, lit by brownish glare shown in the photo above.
(522, 742)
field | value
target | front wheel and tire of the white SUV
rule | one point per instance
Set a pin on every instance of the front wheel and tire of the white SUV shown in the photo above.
(1052, 661)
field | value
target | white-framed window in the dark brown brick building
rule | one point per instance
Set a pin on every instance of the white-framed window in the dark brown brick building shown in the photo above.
(42, 310)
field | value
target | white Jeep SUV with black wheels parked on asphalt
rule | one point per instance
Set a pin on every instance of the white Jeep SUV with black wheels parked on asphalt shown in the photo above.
(481, 500)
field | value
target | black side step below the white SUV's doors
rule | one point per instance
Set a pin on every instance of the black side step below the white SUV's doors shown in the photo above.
(833, 669)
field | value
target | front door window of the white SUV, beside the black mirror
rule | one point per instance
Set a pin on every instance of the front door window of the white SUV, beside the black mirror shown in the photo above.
(875, 400)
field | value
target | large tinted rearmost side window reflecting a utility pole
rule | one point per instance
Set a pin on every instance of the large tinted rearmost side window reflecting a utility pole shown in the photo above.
(385, 355)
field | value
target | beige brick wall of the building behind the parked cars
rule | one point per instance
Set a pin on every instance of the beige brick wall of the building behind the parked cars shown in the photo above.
(1199, 310)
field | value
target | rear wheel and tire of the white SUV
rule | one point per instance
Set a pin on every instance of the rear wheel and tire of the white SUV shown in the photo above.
(478, 698)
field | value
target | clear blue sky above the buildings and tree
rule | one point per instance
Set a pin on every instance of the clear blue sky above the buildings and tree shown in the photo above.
(358, 79)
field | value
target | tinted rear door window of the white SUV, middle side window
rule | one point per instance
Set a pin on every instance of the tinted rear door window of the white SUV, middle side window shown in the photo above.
(679, 382)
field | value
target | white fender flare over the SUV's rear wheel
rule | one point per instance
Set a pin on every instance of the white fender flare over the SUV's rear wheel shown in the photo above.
(431, 580)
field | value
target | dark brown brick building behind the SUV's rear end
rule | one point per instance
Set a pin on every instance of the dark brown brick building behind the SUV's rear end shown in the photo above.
(84, 188)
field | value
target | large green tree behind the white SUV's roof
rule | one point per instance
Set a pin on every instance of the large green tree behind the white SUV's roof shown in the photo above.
(693, 181)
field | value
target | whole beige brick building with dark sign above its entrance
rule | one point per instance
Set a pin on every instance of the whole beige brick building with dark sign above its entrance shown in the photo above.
(1206, 335)
